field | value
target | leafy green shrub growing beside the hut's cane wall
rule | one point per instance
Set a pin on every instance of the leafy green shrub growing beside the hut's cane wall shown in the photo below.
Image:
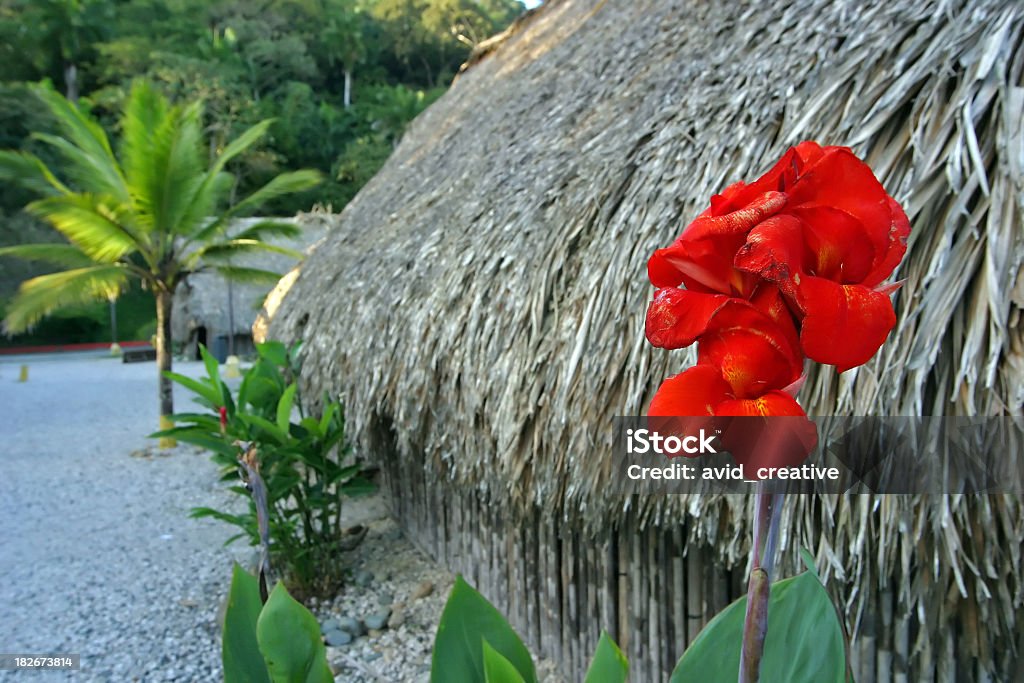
(305, 460)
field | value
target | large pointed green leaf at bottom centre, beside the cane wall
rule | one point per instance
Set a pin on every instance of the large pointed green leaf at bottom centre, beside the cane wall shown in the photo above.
(468, 620)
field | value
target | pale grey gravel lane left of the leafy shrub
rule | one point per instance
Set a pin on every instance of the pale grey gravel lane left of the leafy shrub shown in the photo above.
(98, 557)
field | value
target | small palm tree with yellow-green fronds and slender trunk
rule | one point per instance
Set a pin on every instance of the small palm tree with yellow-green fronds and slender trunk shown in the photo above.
(156, 211)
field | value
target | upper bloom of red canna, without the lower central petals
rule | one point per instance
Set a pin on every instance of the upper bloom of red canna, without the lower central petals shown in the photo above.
(820, 227)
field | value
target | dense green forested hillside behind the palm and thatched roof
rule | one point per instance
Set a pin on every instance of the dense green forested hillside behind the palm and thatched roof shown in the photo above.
(293, 62)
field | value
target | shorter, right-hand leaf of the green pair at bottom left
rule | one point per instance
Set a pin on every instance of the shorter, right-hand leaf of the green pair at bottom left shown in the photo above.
(290, 641)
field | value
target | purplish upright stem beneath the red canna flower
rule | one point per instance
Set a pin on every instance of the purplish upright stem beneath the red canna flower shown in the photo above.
(766, 510)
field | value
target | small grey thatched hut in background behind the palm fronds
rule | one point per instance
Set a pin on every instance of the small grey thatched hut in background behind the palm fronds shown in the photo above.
(220, 315)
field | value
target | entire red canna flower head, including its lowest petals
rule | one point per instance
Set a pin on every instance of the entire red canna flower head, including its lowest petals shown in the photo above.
(789, 266)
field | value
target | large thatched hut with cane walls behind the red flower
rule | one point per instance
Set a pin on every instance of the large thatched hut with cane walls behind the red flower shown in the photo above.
(480, 307)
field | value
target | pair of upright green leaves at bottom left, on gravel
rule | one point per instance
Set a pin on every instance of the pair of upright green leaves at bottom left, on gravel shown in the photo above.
(279, 642)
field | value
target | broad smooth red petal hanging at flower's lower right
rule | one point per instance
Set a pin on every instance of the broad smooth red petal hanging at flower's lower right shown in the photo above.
(844, 325)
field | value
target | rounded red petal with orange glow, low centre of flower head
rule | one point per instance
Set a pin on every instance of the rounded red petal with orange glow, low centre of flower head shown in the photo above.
(752, 352)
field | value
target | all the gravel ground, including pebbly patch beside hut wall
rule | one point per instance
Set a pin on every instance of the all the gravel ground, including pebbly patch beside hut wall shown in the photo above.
(100, 559)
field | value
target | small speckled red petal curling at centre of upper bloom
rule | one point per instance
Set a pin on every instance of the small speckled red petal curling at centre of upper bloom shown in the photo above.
(776, 251)
